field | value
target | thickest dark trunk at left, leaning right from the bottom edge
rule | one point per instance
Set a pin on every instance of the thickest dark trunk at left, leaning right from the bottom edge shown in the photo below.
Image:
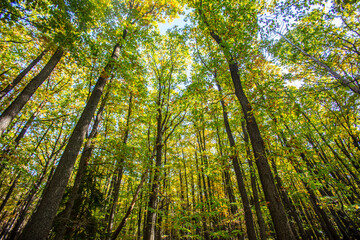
(40, 223)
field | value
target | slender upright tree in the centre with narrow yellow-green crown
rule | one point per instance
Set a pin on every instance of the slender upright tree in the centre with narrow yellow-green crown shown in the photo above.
(168, 73)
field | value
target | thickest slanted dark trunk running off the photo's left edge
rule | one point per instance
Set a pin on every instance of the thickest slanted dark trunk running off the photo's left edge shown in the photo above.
(15, 107)
